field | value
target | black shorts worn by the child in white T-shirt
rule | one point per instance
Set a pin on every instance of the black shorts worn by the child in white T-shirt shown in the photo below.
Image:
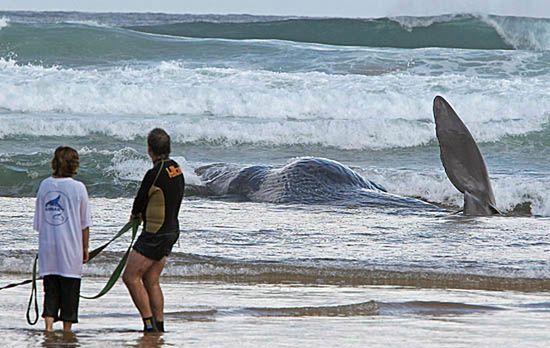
(61, 294)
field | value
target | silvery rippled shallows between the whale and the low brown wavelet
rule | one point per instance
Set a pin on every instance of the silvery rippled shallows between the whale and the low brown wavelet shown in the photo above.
(239, 239)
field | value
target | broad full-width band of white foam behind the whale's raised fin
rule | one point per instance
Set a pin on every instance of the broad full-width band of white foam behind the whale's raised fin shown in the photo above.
(234, 106)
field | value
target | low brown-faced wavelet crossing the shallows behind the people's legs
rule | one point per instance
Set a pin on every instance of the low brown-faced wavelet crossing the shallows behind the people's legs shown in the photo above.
(201, 268)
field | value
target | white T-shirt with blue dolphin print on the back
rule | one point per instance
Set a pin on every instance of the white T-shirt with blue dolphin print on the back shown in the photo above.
(61, 213)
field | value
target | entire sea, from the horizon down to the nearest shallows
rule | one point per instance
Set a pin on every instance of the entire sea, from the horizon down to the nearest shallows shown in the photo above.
(245, 90)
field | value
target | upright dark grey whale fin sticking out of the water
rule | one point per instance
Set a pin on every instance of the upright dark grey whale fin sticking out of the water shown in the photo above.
(463, 161)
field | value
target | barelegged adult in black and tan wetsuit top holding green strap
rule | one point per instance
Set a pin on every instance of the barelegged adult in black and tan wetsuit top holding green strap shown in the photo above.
(157, 204)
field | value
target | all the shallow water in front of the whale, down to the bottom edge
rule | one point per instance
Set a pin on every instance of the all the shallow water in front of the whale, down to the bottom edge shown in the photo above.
(253, 274)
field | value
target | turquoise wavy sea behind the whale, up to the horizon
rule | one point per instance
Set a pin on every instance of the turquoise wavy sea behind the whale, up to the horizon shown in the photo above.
(100, 81)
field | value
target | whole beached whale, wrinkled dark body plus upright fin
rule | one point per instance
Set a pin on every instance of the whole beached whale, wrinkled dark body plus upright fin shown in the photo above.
(323, 181)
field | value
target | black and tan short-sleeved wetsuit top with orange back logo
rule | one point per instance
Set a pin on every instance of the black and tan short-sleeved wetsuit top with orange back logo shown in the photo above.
(159, 197)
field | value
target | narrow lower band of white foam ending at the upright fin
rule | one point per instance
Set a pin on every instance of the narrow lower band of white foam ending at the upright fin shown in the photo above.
(340, 133)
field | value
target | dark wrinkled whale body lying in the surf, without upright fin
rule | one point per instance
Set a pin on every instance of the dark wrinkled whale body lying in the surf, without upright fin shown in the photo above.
(304, 180)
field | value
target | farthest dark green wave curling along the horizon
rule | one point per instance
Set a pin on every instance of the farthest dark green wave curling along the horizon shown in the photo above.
(470, 31)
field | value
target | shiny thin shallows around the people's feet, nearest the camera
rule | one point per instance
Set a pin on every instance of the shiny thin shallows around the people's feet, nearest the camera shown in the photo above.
(251, 315)
